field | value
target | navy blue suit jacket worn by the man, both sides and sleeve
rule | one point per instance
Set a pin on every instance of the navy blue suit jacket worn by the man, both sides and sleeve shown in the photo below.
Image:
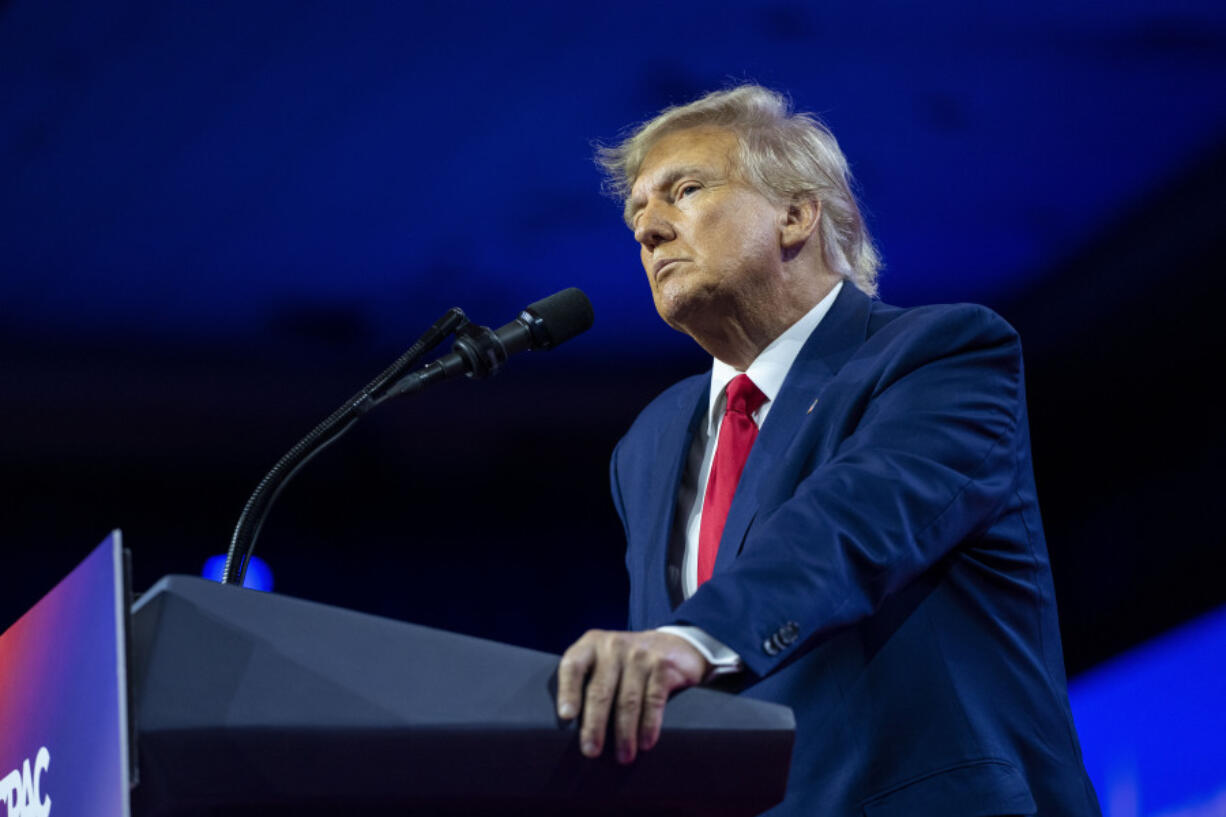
(883, 570)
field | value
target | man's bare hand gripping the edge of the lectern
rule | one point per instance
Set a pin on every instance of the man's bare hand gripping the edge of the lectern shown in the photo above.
(641, 670)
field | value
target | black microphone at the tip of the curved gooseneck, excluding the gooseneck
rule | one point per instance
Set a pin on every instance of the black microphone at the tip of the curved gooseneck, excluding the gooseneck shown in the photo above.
(480, 353)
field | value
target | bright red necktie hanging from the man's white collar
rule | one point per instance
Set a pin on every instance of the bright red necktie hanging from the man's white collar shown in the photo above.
(737, 436)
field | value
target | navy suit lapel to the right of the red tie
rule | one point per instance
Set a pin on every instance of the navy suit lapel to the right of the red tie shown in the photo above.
(837, 338)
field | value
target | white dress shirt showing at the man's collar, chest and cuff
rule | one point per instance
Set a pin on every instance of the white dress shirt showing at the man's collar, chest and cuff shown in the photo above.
(768, 372)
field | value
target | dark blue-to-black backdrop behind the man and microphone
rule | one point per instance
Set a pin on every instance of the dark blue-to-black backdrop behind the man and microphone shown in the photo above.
(220, 220)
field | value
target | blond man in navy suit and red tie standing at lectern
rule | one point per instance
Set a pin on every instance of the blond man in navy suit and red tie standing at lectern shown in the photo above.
(842, 515)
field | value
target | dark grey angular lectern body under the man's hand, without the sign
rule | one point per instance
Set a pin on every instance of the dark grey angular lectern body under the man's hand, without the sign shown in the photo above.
(257, 704)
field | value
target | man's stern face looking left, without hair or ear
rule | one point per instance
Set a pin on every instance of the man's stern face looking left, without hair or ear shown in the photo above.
(709, 241)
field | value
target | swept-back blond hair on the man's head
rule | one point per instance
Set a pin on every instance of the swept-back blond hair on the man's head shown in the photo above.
(785, 155)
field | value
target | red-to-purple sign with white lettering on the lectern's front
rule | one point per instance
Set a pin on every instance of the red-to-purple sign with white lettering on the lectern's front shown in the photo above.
(64, 733)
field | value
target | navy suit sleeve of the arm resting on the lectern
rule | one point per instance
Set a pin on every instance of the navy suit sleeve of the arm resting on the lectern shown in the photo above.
(931, 459)
